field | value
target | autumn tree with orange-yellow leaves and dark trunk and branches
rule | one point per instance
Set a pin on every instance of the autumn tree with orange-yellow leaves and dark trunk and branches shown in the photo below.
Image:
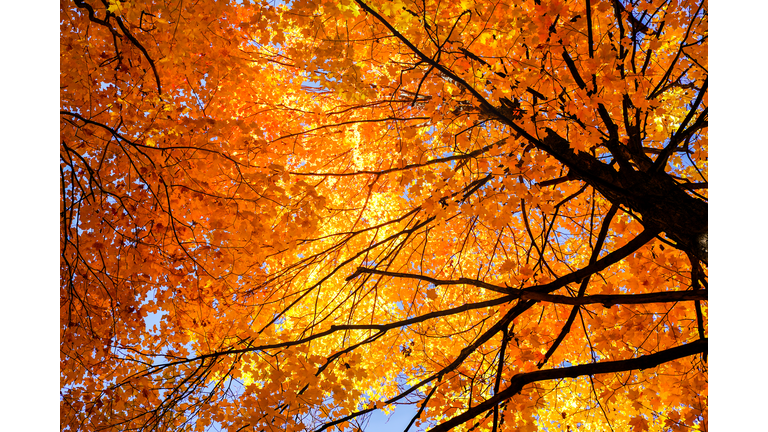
(494, 211)
